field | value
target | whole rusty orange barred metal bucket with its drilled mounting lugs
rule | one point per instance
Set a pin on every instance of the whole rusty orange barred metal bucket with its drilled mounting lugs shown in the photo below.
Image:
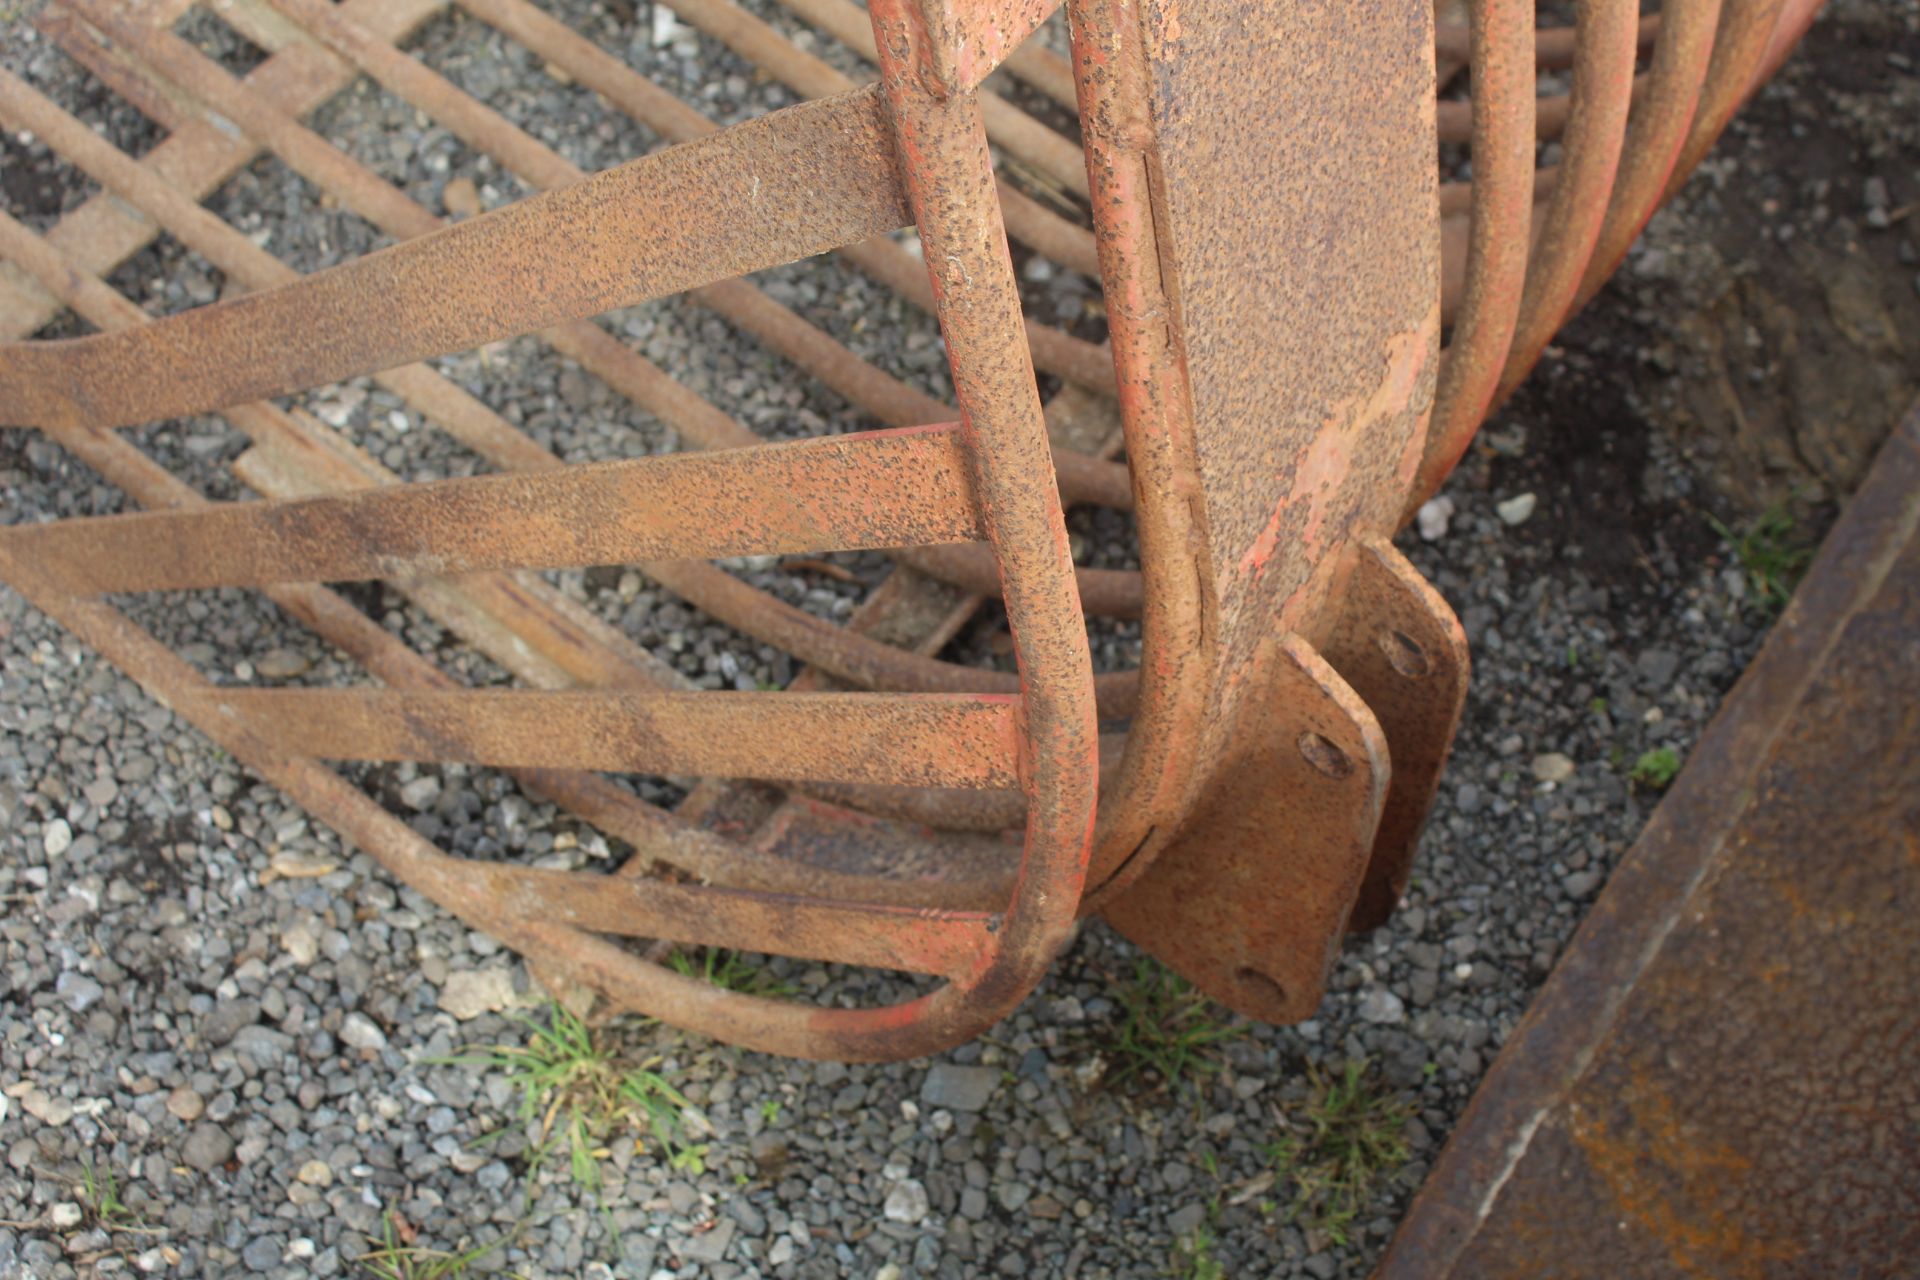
(1280, 260)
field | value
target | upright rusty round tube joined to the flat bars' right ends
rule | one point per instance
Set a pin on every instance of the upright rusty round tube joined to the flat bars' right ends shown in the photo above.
(948, 172)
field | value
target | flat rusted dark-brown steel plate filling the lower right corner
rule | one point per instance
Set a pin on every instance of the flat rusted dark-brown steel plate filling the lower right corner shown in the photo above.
(1723, 1074)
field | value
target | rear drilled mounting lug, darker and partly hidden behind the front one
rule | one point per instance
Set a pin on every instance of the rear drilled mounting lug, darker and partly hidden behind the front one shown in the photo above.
(1401, 650)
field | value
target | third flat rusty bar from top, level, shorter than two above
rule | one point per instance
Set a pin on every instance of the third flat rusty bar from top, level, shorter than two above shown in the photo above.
(898, 740)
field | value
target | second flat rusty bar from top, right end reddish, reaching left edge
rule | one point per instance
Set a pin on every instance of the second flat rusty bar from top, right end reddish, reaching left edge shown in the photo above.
(838, 492)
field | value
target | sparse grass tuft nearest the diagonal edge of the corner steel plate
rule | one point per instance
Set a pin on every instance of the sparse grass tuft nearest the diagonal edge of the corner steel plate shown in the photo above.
(1345, 1147)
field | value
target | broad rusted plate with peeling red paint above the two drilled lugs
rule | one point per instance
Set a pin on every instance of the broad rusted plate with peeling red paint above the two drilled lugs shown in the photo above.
(1251, 124)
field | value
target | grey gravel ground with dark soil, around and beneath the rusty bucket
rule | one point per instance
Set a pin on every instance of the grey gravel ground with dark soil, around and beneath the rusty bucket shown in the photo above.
(241, 1022)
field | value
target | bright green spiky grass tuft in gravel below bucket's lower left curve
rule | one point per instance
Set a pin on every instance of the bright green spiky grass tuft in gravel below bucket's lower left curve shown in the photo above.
(583, 1095)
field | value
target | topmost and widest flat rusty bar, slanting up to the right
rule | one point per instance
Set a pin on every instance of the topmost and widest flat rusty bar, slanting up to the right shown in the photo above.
(702, 212)
